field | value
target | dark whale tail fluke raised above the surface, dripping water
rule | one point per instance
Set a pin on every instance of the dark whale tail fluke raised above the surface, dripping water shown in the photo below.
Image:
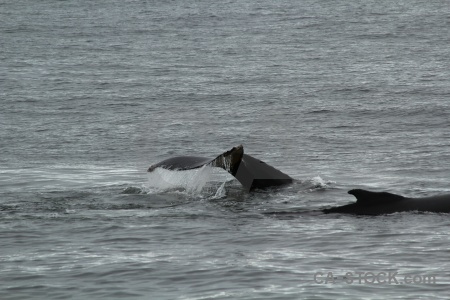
(252, 173)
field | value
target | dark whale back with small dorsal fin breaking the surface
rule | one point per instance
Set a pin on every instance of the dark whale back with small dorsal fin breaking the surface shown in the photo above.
(381, 203)
